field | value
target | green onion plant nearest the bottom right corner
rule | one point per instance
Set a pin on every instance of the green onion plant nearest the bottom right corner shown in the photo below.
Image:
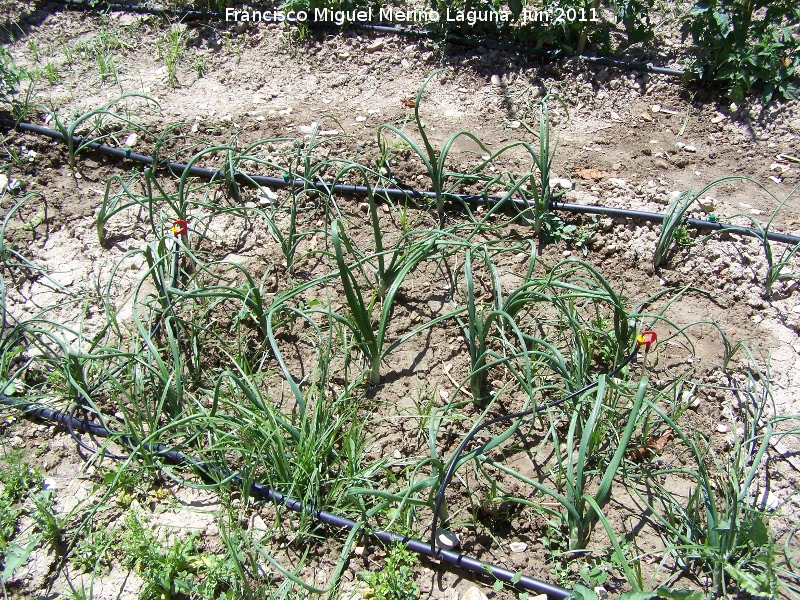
(721, 528)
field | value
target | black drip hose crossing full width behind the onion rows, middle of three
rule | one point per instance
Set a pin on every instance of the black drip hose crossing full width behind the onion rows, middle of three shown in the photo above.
(394, 193)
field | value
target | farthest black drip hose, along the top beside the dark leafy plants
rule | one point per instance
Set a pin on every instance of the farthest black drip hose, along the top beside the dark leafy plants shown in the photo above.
(474, 42)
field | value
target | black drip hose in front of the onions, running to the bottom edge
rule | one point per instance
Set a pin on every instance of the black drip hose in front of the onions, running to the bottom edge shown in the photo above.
(262, 491)
